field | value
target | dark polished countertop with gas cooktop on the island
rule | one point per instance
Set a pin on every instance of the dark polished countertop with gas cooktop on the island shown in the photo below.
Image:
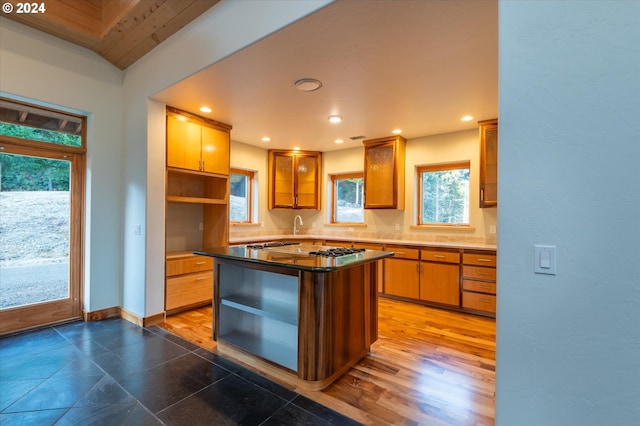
(294, 257)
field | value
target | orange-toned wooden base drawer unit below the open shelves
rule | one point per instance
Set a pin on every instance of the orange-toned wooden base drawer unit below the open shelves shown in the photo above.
(189, 281)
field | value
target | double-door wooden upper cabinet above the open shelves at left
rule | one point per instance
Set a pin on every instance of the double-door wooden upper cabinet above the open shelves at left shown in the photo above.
(197, 143)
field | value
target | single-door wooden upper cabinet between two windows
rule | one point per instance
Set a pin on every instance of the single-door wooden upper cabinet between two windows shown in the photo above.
(384, 168)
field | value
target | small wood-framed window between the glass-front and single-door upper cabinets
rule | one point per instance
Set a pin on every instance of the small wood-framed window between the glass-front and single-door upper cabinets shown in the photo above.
(347, 198)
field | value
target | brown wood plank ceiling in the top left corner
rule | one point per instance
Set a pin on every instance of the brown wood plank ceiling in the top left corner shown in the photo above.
(121, 31)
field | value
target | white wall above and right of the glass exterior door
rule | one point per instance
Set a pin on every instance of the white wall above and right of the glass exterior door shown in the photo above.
(37, 68)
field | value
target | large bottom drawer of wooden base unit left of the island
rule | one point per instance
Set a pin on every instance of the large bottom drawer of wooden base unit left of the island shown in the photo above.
(189, 289)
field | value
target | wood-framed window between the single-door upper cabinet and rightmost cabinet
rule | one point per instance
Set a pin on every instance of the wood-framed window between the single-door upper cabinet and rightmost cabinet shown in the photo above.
(443, 192)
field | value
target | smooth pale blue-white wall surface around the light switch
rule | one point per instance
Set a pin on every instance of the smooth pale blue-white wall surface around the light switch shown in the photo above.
(568, 346)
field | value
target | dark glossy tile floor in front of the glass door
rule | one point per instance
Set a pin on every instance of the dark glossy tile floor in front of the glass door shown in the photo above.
(114, 373)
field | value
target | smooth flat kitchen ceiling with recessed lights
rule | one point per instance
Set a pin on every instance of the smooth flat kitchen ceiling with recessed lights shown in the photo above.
(415, 65)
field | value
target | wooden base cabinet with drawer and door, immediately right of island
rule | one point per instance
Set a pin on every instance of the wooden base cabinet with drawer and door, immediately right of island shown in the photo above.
(402, 272)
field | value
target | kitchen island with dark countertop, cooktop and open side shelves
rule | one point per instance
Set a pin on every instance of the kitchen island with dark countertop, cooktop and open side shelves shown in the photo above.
(310, 315)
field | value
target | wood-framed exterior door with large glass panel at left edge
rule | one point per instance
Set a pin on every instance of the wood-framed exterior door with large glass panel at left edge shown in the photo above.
(41, 227)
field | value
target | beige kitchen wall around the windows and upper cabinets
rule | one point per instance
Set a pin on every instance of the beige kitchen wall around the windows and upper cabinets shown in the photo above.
(443, 148)
